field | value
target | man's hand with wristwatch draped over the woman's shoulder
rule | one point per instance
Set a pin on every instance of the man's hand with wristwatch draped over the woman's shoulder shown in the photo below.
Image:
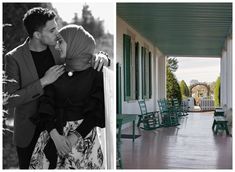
(101, 59)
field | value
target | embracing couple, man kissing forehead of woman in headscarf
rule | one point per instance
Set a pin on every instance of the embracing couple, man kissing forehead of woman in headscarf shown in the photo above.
(59, 100)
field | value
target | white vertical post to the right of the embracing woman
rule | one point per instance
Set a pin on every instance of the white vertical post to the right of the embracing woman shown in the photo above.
(110, 120)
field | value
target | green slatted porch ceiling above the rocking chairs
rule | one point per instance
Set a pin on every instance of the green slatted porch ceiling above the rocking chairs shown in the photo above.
(181, 29)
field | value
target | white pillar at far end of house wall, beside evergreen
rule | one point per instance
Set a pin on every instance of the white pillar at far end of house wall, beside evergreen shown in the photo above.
(161, 77)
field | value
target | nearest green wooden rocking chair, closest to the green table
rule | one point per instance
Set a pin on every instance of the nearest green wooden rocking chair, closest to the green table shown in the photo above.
(150, 120)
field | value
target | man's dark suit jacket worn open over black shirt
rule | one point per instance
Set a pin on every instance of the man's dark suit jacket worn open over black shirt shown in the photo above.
(19, 65)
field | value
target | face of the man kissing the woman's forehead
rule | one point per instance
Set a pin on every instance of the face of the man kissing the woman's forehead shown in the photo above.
(48, 33)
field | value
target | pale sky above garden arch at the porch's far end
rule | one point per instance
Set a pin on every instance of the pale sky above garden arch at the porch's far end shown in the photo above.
(201, 69)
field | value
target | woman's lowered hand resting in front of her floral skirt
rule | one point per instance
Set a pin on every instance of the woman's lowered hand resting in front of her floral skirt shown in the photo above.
(62, 144)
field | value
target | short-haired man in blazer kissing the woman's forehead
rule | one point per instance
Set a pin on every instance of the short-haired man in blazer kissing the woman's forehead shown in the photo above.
(32, 65)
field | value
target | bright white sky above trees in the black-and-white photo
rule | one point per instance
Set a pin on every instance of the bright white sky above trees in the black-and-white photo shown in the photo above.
(104, 10)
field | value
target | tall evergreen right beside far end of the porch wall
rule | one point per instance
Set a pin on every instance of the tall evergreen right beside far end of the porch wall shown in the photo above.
(172, 85)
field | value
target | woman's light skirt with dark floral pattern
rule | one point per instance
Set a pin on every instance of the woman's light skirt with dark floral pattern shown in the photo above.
(86, 154)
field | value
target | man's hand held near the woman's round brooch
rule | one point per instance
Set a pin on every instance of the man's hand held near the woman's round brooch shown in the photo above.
(52, 75)
